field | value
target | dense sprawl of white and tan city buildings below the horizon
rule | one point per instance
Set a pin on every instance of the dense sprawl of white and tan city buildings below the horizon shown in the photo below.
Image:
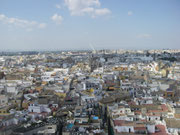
(81, 92)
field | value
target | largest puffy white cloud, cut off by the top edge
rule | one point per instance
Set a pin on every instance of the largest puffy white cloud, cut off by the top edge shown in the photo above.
(86, 7)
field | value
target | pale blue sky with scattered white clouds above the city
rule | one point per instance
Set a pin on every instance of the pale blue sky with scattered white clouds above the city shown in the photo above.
(30, 25)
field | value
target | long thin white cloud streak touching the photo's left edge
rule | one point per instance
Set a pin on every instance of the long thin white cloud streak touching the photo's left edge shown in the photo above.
(21, 23)
